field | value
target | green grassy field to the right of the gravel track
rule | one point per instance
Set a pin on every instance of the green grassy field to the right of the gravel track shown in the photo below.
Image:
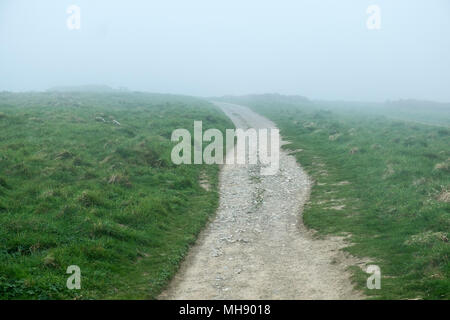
(382, 181)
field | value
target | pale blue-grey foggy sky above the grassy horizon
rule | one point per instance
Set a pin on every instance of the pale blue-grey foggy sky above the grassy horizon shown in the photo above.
(318, 48)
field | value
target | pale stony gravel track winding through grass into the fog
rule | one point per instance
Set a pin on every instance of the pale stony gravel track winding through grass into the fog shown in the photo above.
(257, 247)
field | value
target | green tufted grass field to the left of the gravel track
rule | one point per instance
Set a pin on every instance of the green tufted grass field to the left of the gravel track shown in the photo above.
(78, 189)
